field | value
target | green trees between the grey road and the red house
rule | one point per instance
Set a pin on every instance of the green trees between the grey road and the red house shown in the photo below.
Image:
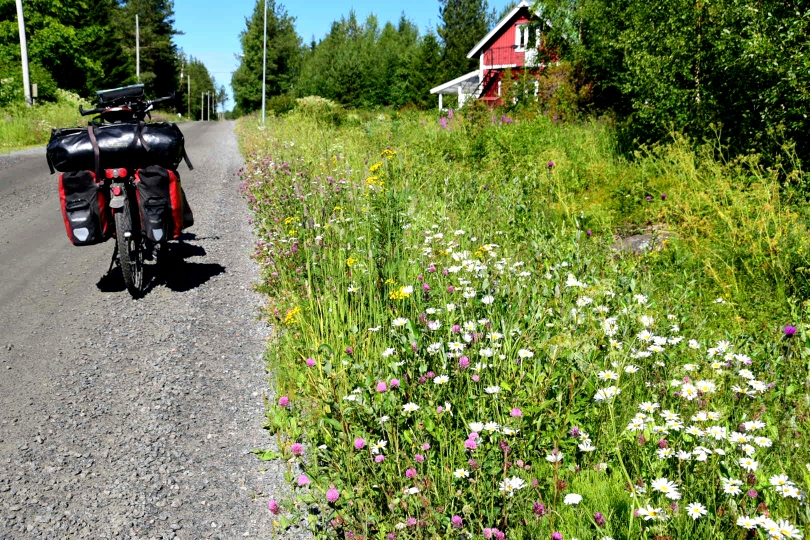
(359, 63)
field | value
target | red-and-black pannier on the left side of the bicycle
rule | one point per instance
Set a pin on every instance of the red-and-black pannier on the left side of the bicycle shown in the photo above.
(85, 208)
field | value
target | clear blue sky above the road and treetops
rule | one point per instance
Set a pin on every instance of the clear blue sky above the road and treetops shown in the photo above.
(212, 27)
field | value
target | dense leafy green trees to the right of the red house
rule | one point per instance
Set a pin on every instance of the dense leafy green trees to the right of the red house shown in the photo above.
(737, 67)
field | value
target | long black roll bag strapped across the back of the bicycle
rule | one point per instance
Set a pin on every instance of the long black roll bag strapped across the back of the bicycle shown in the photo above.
(128, 146)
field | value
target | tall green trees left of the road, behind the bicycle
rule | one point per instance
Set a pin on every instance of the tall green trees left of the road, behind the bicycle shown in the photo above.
(87, 45)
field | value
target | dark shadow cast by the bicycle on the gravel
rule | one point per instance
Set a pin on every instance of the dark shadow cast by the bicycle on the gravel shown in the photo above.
(177, 273)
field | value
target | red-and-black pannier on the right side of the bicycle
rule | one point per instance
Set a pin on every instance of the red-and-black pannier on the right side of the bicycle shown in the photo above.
(162, 203)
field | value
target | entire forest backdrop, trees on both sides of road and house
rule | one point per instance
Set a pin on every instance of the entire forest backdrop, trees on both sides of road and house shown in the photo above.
(733, 72)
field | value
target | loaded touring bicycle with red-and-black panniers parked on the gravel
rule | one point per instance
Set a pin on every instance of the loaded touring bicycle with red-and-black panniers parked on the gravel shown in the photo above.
(119, 180)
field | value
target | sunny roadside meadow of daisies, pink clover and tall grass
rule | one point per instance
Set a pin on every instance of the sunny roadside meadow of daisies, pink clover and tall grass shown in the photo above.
(461, 351)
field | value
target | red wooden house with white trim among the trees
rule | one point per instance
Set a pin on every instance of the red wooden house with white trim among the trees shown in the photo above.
(508, 46)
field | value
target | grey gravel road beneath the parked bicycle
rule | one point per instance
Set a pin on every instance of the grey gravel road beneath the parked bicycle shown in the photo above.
(122, 418)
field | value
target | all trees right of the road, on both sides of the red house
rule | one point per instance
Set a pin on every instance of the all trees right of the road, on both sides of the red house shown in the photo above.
(733, 71)
